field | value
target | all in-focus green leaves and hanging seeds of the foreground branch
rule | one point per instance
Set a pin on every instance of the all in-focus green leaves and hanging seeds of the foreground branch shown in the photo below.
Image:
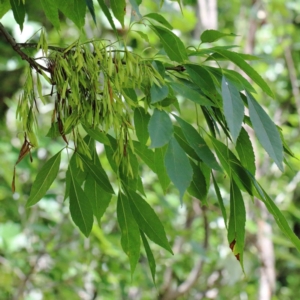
(102, 91)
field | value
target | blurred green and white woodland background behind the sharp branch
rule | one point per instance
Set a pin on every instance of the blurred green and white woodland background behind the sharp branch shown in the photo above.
(43, 256)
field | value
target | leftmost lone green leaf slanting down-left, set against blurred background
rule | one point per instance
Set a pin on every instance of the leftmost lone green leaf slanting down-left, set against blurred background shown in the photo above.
(44, 179)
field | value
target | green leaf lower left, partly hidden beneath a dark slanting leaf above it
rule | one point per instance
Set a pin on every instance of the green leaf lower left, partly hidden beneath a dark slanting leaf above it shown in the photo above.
(99, 199)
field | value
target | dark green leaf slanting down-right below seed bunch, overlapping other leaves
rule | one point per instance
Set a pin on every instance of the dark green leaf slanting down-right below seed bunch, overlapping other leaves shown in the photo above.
(97, 172)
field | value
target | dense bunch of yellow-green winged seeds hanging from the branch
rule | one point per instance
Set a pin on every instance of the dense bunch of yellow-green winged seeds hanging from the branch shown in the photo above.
(90, 84)
